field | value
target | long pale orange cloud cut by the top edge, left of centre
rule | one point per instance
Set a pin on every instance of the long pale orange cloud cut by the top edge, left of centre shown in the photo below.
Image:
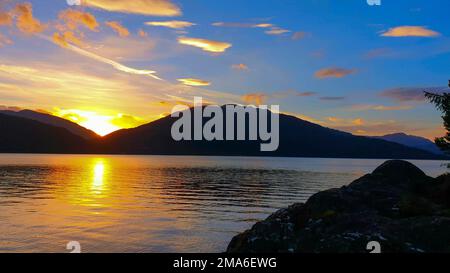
(145, 7)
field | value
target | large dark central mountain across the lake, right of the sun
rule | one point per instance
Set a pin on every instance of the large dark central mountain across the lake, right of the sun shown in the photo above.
(298, 138)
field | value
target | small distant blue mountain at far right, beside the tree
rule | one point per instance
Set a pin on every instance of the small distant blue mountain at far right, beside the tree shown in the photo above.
(412, 141)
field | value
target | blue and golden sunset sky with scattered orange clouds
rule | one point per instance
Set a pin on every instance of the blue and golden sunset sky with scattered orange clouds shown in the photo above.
(109, 64)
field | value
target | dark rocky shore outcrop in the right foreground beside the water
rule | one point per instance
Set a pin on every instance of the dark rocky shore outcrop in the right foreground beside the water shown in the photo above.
(397, 205)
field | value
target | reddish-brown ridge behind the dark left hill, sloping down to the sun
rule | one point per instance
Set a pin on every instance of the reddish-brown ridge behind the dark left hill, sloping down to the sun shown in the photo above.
(54, 121)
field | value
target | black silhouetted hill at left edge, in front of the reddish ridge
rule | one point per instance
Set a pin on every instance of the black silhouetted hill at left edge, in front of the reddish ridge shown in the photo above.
(21, 135)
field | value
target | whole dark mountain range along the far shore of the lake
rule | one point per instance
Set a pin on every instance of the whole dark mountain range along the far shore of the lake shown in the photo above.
(298, 138)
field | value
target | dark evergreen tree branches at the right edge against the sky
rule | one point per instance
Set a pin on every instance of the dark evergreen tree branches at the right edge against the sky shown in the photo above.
(442, 102)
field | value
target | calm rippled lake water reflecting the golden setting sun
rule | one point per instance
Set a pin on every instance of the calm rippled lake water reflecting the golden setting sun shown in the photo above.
(154, 203)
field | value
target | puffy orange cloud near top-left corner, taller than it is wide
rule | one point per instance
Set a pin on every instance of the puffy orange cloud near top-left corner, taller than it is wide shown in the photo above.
(25, 20)
